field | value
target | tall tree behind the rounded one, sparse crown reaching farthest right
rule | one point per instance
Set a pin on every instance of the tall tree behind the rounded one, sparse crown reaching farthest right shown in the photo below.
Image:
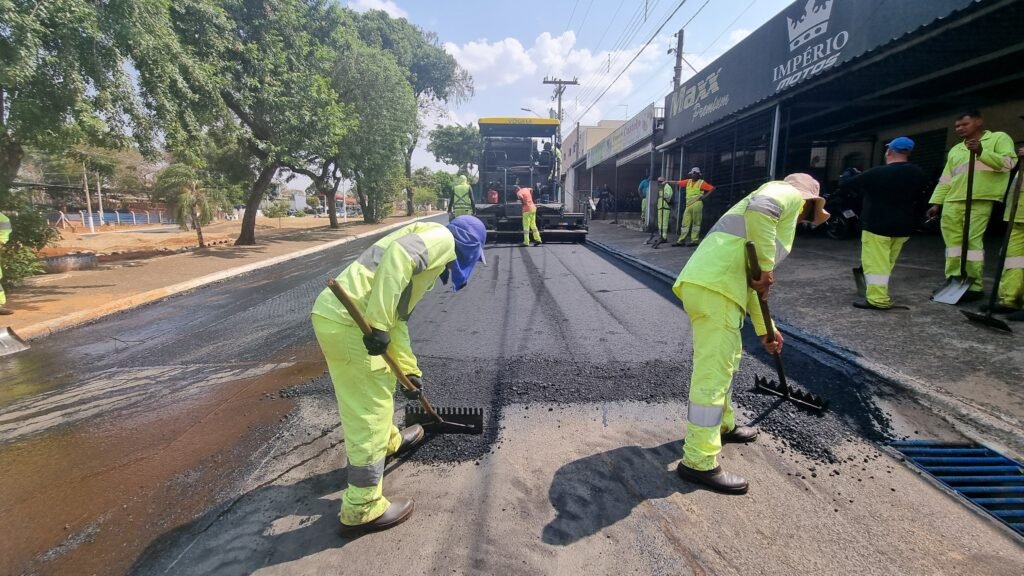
(435, 75)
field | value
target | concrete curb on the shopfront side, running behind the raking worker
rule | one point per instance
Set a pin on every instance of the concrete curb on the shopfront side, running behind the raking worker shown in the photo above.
(982, 426)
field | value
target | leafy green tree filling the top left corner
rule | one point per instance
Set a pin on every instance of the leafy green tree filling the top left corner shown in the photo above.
(65, 79)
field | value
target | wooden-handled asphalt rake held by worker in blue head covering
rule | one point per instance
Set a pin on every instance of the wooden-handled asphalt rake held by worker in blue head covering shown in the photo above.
(450, 421)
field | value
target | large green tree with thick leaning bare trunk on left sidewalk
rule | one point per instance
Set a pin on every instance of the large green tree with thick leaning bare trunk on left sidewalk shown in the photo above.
(274, 61)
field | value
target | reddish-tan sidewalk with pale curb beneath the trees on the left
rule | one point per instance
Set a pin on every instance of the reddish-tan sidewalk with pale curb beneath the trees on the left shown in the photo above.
(57, 302)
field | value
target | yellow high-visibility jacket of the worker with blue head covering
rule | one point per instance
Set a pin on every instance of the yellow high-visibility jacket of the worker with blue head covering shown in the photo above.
(389, 280)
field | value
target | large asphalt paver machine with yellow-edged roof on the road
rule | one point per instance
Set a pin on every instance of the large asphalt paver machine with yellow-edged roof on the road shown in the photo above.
(515, 155)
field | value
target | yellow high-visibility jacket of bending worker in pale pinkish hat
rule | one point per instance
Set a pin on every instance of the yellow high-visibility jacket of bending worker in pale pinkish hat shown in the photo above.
(767, 218)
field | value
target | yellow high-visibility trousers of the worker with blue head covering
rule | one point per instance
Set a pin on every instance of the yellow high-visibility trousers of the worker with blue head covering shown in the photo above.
(364, 387)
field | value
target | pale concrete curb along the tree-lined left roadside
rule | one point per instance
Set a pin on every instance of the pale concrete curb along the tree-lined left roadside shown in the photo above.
(65, 322)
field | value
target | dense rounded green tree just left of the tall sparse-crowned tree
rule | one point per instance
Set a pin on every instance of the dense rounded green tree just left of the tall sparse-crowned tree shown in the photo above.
(371, 81)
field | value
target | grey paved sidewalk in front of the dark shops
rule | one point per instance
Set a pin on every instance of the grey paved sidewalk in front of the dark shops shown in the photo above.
(969, 375)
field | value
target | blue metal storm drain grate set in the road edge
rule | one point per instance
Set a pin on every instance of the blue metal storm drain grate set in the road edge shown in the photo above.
(989, 480)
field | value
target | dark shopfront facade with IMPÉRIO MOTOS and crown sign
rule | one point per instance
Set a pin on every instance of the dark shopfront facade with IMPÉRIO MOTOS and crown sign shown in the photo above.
(824, 86)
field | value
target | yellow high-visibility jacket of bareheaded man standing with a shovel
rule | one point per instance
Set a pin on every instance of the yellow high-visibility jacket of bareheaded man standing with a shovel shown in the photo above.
(991, 171)
